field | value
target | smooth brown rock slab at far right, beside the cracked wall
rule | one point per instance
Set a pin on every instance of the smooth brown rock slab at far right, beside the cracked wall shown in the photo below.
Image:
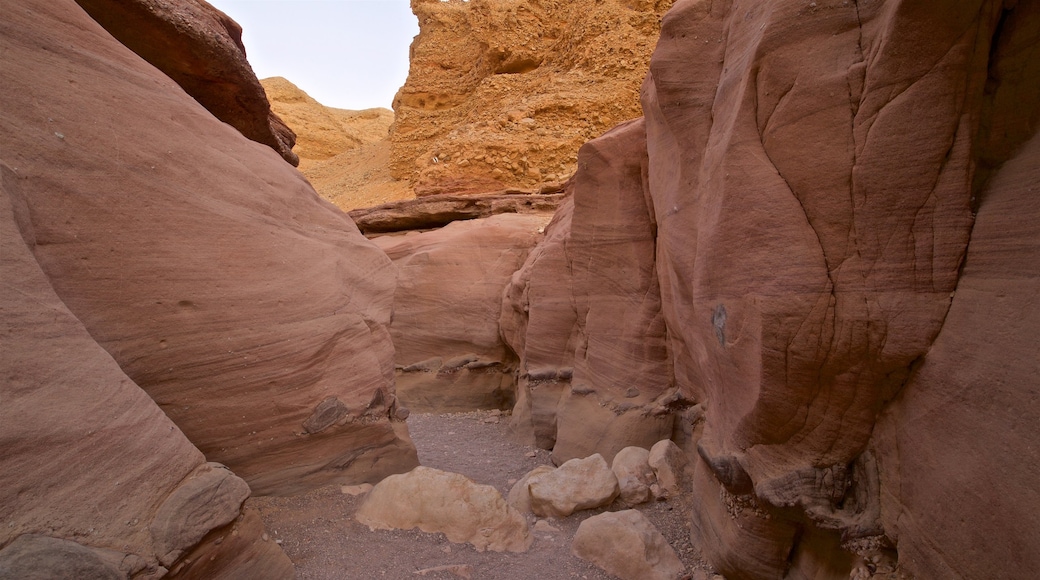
(964, 433)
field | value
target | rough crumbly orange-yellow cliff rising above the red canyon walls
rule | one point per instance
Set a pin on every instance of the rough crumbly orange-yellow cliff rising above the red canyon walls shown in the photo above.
(503, 94)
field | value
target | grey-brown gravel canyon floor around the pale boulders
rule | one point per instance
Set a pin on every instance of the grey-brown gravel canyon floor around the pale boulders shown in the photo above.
(319, 533)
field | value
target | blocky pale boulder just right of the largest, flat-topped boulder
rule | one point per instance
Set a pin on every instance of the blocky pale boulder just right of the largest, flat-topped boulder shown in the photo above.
(575, 486)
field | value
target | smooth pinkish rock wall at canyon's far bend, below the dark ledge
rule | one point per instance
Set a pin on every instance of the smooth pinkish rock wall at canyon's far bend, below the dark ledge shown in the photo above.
(450, 354)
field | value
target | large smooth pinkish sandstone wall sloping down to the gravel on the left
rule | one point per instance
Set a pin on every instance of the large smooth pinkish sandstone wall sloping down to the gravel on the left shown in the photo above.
(252, 312)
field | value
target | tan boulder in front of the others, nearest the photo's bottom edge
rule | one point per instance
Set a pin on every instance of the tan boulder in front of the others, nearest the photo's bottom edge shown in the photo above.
(627, 545)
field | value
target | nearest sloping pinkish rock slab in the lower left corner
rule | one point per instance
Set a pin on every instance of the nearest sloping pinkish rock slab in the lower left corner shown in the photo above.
(96, 482)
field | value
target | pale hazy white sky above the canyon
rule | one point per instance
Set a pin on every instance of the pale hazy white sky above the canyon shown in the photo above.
(351, 55)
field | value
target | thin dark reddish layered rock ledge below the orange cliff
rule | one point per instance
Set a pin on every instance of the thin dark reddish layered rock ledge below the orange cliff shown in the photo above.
(437, 212)
